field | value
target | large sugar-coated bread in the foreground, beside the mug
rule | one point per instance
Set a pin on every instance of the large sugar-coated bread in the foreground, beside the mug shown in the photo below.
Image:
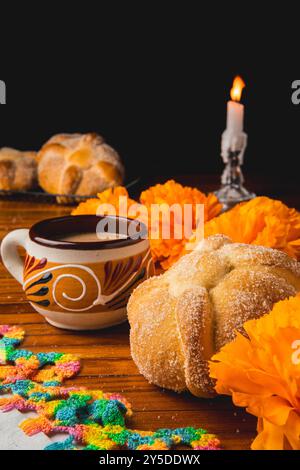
(181, 318)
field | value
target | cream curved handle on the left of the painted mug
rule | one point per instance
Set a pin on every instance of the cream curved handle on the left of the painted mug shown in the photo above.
(9, 252)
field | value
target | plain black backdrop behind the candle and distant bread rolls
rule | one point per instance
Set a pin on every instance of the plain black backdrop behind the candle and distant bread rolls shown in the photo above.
(154, 83)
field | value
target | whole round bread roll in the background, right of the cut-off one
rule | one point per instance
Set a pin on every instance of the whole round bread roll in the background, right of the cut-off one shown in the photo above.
(81, 164)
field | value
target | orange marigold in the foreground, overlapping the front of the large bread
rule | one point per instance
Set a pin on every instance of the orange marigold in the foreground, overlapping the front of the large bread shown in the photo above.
(262, 372)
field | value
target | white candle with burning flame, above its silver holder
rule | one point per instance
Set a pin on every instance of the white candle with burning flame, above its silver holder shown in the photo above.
(233, 137)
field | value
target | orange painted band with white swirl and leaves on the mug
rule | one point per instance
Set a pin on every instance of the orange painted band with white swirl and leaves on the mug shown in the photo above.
(92, 287)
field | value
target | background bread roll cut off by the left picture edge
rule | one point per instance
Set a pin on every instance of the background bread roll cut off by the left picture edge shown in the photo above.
(18, 170)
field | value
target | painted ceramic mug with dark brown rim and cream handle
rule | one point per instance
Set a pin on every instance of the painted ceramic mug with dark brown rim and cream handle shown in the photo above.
(79, 285)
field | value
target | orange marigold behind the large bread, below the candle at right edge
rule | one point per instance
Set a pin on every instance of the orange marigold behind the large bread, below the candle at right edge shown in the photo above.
(261, 221)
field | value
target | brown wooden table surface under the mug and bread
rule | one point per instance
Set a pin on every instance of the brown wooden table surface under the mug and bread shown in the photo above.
(105, 354)
